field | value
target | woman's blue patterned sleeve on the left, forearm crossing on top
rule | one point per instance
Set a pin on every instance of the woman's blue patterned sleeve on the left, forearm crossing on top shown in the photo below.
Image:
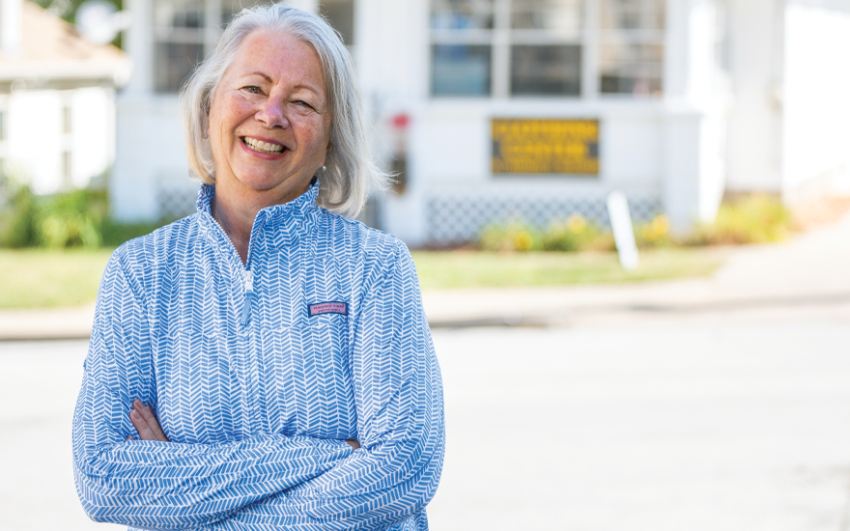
(157, 485)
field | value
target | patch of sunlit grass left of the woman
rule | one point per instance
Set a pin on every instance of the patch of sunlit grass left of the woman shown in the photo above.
(37, 278)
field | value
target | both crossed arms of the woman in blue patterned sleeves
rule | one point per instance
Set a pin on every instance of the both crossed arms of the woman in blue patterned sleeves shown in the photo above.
(269, 482)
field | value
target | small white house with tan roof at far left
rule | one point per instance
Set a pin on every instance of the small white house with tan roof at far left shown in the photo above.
(57, 100)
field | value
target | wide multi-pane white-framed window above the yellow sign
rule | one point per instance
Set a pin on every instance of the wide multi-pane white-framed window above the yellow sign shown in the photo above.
(526, 48)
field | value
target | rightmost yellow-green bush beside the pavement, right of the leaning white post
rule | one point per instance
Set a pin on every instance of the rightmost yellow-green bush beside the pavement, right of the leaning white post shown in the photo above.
(753, 219)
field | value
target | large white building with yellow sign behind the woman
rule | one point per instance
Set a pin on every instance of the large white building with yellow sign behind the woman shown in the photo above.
(538, 108)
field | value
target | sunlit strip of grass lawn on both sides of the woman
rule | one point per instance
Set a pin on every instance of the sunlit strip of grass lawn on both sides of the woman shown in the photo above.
(36, 278)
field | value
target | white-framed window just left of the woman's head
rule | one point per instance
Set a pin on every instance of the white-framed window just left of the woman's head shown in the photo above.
(184, 32)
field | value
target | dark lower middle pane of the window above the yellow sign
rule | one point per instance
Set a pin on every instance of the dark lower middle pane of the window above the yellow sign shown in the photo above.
(546, 70)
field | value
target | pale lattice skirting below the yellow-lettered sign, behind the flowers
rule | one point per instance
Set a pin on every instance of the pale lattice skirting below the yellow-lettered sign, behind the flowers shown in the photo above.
(460, 219)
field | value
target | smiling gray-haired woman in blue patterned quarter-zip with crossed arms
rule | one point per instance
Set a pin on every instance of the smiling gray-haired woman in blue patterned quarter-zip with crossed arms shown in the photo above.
(264, 363)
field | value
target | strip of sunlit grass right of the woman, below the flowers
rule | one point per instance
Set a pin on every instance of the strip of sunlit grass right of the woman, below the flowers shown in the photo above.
(463, 269)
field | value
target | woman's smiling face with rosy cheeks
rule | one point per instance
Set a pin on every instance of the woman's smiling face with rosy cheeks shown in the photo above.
(269, 123)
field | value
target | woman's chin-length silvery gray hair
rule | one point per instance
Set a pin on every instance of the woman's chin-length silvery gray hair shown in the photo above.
(350, 174)
